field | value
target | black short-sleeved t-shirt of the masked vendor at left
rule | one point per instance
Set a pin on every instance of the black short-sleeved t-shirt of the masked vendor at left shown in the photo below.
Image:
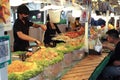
(19, 44)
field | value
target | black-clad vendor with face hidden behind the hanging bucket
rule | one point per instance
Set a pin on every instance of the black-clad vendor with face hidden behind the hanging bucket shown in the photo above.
(51, 31)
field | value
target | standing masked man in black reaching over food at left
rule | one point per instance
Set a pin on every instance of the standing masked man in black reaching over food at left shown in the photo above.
(21, 29)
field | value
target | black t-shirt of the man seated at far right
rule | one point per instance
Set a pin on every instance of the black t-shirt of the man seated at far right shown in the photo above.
(116, 54)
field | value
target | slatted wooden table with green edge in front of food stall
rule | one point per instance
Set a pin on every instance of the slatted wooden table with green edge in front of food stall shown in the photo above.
(87, 68)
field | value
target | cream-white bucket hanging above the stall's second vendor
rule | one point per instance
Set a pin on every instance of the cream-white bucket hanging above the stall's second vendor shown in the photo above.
(54, 15)
